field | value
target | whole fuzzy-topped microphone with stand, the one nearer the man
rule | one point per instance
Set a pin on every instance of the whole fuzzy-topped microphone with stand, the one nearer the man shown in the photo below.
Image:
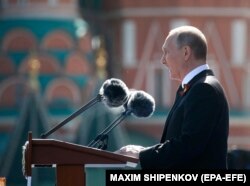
(140, 104)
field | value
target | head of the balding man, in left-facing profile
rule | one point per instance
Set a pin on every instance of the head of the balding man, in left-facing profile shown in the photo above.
(184, 49)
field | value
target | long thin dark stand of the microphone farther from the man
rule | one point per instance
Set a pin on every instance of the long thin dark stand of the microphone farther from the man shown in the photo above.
(98, 98)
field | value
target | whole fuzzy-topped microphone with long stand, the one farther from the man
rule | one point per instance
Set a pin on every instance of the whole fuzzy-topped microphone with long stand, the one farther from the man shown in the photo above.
(113, 93)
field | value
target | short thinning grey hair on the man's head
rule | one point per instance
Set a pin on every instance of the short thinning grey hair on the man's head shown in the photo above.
(192, 37)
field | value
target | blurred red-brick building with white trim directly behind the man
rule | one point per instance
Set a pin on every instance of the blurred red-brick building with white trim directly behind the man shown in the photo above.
(138, 30)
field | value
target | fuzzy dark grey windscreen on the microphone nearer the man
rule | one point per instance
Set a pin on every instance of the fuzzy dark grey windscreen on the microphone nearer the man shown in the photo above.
(141, 104)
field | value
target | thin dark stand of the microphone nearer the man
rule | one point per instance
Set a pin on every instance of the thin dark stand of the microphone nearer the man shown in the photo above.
(102, 139)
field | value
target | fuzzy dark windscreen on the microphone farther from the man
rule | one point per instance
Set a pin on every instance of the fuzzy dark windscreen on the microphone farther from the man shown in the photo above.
(115, 92)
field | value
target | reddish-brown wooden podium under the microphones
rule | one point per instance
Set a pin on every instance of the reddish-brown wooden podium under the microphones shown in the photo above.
(69, 159)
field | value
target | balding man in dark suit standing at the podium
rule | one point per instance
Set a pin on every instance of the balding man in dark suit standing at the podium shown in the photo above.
(196, 130)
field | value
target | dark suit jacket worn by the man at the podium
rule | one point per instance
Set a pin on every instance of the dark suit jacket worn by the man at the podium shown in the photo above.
(196, 130)
